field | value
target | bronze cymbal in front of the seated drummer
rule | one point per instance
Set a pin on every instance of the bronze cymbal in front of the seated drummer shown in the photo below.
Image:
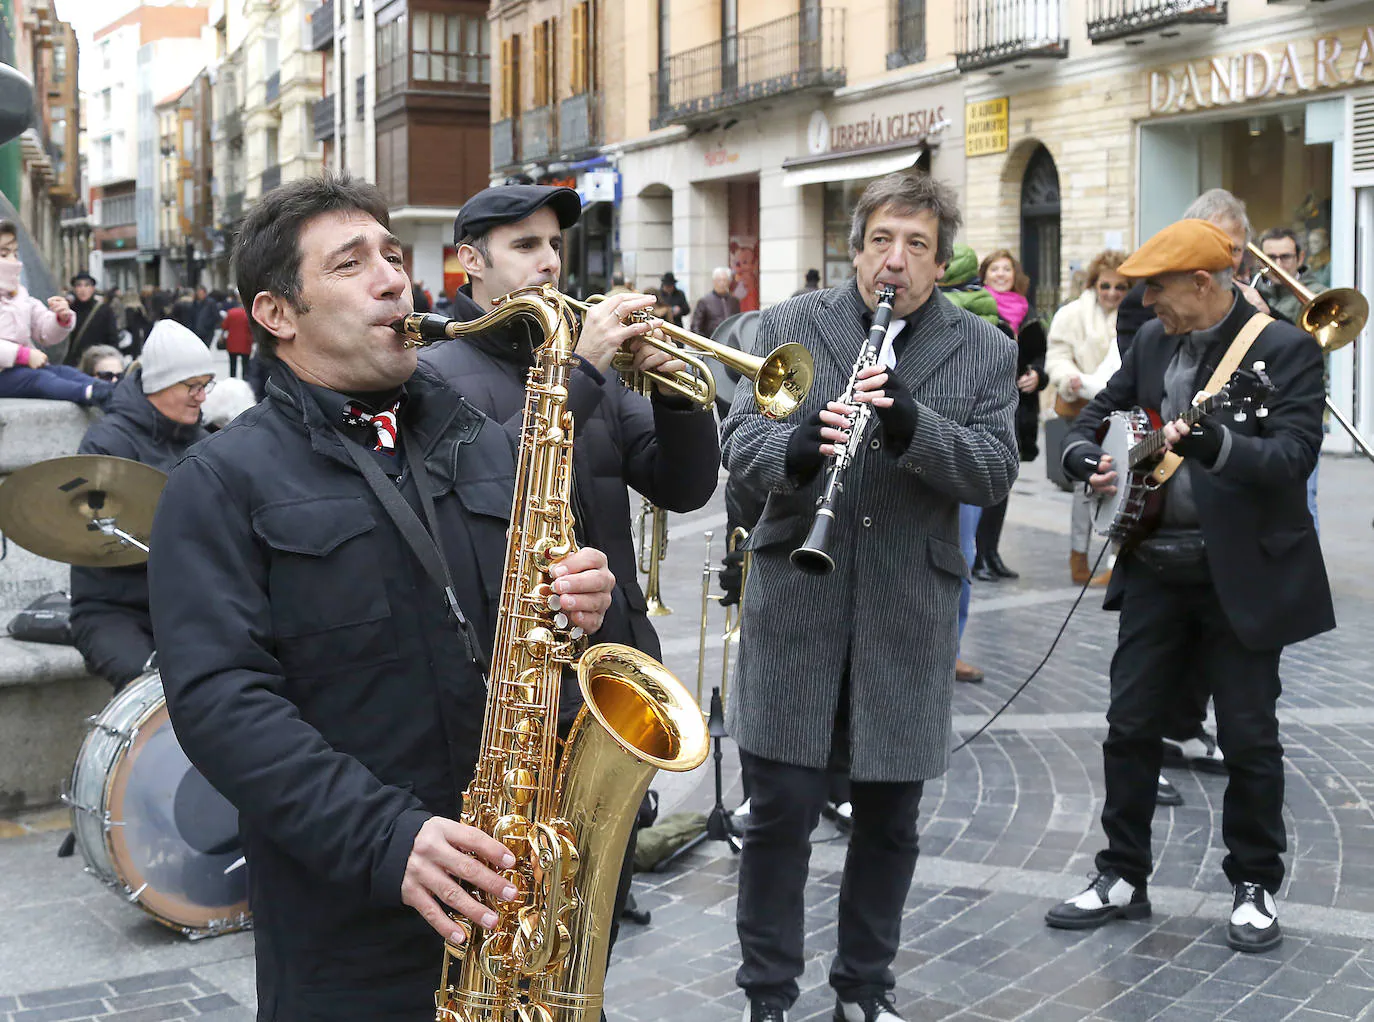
(49, 509)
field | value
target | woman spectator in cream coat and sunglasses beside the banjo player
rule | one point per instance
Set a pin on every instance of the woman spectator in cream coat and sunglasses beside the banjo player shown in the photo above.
(1081, 359)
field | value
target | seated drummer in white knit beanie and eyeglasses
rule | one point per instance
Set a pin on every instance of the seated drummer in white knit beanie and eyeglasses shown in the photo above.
(153, 418)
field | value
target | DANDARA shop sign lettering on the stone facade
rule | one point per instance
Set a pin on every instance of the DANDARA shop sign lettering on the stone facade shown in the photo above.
(1305, 67)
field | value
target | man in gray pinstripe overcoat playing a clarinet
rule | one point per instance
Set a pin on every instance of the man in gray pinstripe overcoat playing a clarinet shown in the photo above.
(855, 668)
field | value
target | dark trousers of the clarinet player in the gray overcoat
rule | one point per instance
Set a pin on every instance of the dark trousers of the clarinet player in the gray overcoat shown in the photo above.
(785, 806)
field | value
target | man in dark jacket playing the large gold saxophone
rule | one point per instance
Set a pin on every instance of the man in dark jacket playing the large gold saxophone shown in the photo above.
(317, 671)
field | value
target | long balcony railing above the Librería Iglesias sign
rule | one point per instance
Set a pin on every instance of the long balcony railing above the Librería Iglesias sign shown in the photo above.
(802, 52)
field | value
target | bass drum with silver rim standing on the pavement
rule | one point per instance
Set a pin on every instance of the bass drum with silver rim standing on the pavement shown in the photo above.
(150, 826)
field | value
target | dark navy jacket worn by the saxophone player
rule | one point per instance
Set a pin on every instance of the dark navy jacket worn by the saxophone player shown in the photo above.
(313, 678)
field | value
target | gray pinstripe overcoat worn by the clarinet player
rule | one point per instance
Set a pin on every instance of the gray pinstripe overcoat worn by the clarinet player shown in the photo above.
(894, 598)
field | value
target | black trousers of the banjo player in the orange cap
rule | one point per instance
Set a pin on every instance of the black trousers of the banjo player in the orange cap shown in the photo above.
(1169, 635)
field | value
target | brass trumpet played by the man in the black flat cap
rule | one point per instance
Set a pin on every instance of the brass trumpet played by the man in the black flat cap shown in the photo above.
(782, 378)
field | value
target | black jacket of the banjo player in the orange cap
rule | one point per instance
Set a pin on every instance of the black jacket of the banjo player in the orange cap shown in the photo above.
(1262, 546)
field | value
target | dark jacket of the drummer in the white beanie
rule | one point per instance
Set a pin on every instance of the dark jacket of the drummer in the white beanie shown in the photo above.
(111, 605)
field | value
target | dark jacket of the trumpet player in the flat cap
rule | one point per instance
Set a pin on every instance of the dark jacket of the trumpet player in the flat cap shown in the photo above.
(670, 455)
